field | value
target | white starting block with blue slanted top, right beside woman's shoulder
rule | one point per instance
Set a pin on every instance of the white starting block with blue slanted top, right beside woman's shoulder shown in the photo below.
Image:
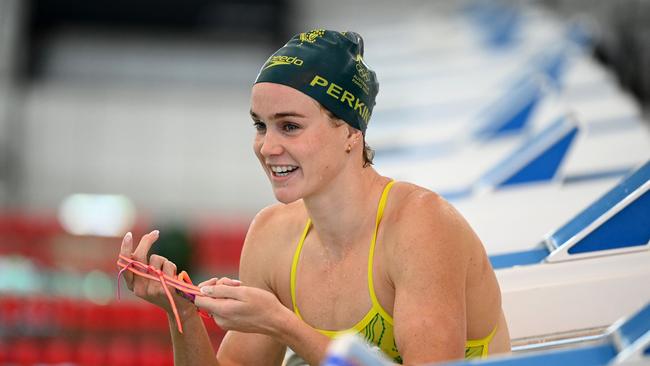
(591, 271)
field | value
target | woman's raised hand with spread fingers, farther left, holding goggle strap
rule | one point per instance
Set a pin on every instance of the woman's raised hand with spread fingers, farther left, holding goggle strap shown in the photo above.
(150, 290)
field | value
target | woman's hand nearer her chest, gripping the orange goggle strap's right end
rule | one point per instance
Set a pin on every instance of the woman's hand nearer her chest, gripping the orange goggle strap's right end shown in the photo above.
(240, 308)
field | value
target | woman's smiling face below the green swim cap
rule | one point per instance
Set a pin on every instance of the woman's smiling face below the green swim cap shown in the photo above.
(299, 148)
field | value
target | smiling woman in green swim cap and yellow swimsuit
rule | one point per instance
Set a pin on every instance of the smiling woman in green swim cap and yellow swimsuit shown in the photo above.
(346, 249)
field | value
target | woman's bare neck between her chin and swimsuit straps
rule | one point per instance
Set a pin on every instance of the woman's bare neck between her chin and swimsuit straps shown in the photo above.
(344, 211)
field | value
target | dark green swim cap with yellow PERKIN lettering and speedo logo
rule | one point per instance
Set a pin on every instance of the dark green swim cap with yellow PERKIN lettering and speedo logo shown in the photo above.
(328, 66)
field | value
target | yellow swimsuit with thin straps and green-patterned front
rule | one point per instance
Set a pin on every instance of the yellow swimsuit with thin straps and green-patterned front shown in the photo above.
(377, 326)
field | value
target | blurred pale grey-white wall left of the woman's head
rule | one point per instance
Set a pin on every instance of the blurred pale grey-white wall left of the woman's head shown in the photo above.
(165, 123)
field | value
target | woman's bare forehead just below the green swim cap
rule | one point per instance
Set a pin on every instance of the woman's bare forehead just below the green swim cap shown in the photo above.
(269, 98)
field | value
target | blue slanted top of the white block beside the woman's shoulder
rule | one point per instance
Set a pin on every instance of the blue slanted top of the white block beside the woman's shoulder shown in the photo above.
(617, 222)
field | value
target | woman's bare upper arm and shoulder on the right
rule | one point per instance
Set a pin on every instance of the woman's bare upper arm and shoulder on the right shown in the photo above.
(428, 269)
